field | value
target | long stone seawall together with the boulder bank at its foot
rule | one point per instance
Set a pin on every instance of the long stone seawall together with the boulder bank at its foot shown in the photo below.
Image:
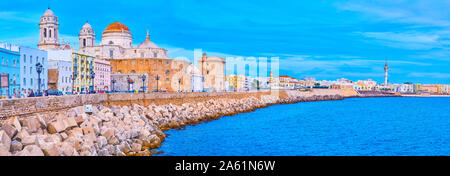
(123, 124)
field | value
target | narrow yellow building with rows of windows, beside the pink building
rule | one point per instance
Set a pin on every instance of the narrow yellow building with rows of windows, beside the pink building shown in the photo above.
(83, 71)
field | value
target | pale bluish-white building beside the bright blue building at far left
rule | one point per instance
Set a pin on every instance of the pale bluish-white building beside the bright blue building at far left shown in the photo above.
(29, 77)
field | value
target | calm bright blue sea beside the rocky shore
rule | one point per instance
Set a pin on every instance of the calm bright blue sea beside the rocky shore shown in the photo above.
(358, 126)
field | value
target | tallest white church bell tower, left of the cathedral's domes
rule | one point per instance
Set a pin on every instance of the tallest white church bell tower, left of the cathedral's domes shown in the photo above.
(48, 31)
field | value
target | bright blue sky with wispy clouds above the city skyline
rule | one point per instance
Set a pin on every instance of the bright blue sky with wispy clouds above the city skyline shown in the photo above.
(322, 39)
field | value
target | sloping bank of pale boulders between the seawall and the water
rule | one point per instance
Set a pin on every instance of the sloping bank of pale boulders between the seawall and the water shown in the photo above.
(120, 131)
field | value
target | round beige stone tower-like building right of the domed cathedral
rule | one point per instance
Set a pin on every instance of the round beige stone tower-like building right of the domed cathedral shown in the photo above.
(213, 71)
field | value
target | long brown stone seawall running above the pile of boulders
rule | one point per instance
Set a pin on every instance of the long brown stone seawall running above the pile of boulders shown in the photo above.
(25, 106)
